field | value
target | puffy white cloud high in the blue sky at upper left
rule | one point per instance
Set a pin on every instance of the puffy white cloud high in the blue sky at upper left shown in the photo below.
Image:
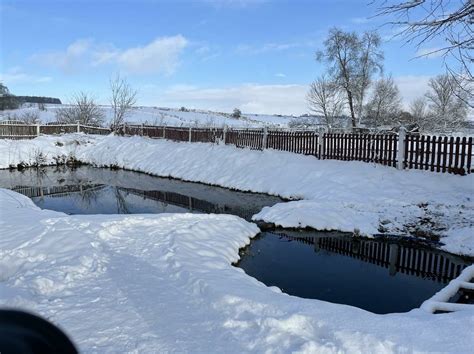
(159, 56)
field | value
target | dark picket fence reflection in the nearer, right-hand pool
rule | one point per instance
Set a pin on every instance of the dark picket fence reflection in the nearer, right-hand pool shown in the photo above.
(420, 262)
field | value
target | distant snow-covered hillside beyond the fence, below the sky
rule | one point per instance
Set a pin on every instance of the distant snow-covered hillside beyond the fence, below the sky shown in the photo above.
(164, 116)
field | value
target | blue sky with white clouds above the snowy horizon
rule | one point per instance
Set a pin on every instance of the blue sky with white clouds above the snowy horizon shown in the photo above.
(256, 55)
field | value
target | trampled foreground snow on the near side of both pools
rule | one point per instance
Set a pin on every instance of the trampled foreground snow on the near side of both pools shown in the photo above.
(165, 283)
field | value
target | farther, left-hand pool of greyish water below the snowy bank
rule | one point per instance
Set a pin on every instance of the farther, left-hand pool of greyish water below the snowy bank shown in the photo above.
(87, 190)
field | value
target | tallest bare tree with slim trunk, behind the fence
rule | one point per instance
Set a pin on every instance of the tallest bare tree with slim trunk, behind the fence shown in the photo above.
(352, 61)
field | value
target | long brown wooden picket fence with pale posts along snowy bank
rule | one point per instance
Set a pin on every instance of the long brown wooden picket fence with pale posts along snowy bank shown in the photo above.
(423, 152)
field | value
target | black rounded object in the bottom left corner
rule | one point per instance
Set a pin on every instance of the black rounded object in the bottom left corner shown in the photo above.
(22, 332)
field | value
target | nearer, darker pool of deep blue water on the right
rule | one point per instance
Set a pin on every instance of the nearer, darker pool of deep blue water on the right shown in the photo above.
(377, 275)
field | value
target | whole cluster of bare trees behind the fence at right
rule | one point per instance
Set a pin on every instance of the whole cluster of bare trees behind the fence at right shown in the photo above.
(354, 81)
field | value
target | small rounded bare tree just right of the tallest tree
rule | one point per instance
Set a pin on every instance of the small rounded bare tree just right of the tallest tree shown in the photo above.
(384, 105)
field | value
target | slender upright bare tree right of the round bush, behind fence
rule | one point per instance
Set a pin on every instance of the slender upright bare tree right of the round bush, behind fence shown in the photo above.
(122, 99)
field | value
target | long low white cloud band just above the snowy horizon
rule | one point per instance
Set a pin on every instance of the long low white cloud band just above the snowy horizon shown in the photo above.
(250, 98)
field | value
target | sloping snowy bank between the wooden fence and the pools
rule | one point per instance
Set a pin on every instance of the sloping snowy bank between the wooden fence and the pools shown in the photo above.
(339, 195)
